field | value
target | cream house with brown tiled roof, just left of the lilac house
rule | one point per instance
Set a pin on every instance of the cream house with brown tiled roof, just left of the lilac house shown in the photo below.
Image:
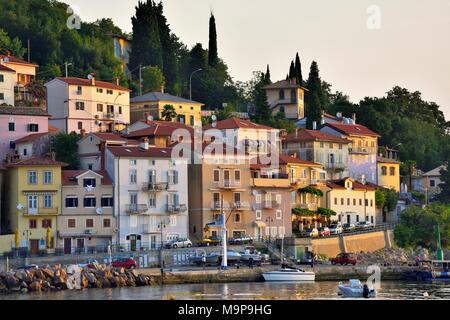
(312, 145)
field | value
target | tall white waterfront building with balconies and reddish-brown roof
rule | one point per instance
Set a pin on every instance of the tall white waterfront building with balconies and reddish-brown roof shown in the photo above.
(150, 192)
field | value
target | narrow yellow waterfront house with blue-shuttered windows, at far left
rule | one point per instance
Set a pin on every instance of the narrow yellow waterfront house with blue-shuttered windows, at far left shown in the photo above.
(33, 202)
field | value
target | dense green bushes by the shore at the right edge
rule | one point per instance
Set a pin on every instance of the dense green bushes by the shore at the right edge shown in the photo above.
(418, 227)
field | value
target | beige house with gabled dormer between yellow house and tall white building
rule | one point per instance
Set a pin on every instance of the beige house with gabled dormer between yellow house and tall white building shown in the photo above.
(87, 223)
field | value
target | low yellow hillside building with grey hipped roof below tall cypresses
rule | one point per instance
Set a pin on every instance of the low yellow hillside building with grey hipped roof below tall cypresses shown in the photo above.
(152, 104)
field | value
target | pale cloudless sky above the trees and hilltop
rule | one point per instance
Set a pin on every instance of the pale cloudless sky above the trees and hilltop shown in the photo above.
(363, 47)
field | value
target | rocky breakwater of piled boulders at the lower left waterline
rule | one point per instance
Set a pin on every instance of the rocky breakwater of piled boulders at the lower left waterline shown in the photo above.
(71, 277)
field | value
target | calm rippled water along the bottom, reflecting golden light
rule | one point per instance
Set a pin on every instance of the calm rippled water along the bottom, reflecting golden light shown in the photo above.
(236, 291)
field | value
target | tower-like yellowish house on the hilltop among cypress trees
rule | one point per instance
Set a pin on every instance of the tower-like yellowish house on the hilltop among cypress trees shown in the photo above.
(288, 97)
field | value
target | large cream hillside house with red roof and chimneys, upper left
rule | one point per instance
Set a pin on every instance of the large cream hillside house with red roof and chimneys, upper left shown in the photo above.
(87, 105)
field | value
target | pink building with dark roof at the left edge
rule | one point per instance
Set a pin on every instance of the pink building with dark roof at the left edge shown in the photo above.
(18, 122)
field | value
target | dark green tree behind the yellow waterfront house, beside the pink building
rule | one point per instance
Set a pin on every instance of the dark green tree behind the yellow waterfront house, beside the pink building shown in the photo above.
(66, 149)
